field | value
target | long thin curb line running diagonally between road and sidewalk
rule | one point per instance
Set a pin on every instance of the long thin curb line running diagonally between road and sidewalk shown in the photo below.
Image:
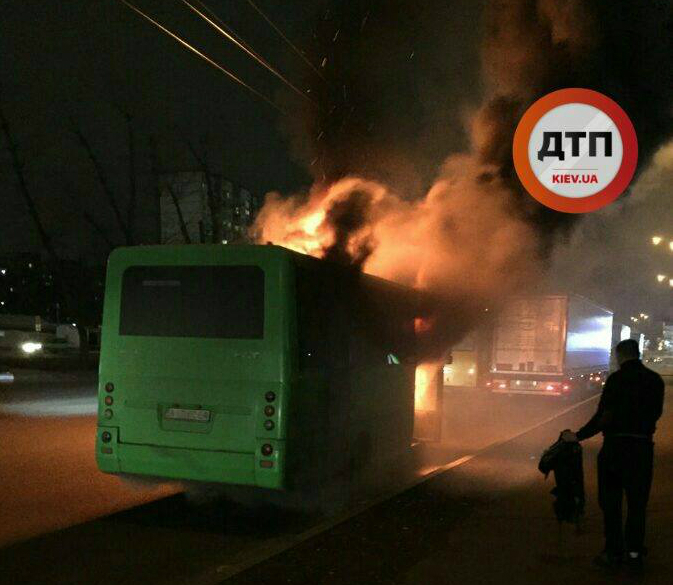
(225, 572)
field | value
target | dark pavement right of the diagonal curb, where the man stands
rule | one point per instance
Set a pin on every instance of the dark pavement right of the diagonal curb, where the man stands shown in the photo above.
(486, 520)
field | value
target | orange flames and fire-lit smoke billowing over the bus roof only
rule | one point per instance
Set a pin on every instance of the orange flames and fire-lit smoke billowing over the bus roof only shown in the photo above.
(460, 238)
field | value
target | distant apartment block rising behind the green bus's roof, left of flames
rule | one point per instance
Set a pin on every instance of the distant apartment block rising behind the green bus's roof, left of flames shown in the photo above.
(185, 213)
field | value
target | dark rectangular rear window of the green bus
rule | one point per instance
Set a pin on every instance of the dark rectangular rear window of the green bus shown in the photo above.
(193, 301)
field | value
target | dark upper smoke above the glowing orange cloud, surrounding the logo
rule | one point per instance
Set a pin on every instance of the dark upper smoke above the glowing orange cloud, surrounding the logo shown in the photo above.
(395, 96)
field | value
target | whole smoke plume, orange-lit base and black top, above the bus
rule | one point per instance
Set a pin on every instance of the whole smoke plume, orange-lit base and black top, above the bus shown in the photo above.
(465, 230)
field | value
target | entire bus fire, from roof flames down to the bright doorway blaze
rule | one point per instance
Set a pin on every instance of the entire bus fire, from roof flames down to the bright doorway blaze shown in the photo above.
(465, 235)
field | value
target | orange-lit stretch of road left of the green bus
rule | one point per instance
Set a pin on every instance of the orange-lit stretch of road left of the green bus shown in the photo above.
(49, 475)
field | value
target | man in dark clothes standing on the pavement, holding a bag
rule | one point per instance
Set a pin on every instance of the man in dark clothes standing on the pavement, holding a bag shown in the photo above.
(631, 404)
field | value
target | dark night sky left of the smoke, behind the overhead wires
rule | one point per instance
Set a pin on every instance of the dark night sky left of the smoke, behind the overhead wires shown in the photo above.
(89, 59)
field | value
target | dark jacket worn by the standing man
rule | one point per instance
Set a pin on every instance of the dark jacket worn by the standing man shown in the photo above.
(631, 403)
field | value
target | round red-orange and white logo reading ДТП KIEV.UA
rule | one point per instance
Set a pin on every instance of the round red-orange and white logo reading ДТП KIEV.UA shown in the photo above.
(575, 150)
